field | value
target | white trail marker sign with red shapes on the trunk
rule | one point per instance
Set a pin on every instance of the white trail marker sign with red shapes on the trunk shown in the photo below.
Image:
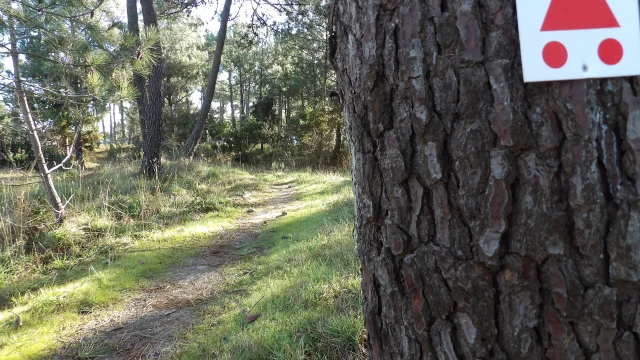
(578, 39)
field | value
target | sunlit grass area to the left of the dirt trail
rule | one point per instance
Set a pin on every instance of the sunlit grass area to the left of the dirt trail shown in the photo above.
(122, 234)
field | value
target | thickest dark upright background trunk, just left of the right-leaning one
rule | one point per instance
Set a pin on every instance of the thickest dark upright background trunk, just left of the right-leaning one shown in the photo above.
(154, 99)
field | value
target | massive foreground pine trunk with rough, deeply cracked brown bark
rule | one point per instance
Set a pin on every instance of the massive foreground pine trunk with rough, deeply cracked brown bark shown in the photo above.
(494, 219)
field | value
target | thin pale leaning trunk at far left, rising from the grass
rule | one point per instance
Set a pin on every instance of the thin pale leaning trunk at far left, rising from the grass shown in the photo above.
(45, 175)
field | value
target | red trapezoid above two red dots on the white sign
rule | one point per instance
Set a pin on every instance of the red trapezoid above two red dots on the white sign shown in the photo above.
(579, 15)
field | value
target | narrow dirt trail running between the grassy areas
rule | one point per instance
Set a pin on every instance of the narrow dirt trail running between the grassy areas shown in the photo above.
(148, 326)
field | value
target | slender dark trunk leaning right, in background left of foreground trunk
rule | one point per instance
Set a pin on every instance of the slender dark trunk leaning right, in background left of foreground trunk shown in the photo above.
(198, 129)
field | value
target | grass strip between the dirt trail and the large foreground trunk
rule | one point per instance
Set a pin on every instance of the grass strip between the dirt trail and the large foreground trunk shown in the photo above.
(306, 288)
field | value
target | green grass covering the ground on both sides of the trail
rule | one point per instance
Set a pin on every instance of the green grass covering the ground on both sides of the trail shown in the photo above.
(124, 233)
